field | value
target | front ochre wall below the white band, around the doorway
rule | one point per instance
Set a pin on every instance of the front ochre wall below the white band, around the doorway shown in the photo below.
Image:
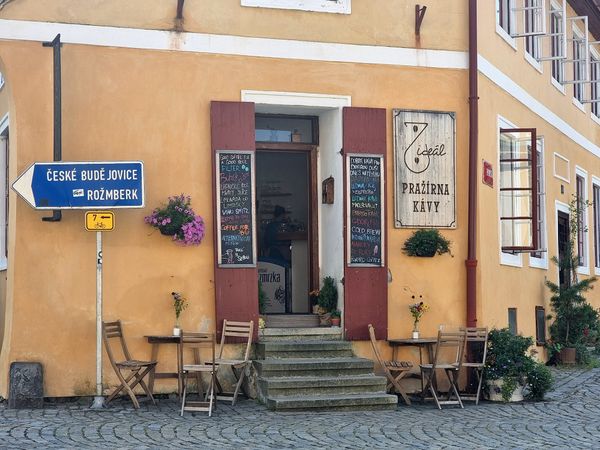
(121, 104)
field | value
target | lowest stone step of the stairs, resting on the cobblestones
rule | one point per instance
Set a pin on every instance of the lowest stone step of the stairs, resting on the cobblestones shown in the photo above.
(333, 402)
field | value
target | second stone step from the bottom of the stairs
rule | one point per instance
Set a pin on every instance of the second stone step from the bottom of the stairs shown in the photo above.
(315, 385)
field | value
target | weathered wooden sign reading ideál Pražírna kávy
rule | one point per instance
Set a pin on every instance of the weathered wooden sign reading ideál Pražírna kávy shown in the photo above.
(424, 169)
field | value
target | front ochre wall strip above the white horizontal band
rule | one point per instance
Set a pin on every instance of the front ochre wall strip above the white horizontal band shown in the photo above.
(372, 22)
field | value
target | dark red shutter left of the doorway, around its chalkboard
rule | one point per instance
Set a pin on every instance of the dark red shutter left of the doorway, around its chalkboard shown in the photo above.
(236, 291)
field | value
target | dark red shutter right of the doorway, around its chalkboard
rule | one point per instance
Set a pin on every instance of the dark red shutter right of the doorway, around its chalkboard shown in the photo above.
(365, 288)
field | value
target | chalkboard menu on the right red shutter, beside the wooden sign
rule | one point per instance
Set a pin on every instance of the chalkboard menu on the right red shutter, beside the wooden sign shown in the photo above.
(365, 209)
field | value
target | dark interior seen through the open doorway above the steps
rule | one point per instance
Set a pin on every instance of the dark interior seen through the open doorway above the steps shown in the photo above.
(283, 193)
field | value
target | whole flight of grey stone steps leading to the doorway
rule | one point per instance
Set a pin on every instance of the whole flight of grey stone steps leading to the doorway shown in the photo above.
(318, 373)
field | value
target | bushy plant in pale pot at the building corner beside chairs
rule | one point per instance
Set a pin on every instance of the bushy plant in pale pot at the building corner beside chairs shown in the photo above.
(511, 369)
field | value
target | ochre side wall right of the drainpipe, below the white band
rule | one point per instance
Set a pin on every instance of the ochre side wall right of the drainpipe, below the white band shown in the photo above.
(503, 286)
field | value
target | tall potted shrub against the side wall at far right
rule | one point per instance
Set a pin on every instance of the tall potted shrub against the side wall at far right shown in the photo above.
(571, 311)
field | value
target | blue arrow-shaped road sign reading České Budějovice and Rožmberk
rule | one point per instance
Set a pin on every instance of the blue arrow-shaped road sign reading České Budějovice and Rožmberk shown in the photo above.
(82, 185)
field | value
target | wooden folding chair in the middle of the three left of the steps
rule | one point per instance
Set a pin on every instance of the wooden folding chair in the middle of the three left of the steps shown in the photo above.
(196, 341)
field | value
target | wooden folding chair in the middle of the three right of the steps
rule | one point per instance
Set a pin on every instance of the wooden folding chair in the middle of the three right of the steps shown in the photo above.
(448, 358)
